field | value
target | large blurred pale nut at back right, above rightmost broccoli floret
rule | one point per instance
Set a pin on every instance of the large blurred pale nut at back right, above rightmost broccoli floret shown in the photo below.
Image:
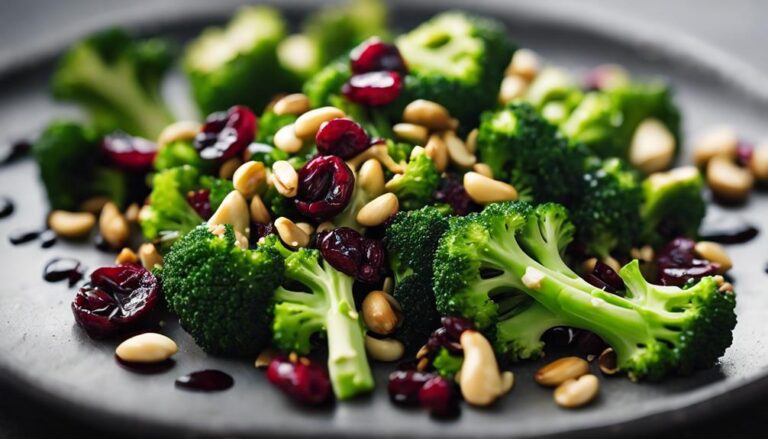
(652, 148)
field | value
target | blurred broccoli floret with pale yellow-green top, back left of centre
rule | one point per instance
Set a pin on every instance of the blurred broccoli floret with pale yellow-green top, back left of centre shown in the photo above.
(238, 65)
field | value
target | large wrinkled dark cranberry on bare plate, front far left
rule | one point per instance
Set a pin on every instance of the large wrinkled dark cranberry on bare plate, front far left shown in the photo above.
(115, 299)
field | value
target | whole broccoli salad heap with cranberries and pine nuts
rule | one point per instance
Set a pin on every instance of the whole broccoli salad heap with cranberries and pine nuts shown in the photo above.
(440, 200)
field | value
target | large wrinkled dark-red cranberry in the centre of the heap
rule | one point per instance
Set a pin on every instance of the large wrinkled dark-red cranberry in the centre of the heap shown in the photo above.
(325, 186)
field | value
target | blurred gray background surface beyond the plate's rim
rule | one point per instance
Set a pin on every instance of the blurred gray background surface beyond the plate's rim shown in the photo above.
(30, 28)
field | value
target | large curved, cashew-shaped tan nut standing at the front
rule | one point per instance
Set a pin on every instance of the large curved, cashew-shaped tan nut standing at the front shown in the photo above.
(480, 381)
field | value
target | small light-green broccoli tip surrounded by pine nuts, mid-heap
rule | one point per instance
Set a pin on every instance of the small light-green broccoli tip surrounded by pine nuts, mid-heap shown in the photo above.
(415, 187)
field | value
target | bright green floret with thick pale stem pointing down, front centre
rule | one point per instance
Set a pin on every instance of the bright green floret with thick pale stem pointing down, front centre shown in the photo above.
(327, 308)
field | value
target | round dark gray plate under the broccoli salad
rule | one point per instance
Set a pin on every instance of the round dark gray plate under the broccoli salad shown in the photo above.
(43, 353)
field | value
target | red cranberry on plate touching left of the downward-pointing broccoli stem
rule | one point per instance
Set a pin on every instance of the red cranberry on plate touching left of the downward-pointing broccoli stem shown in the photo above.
(303, 380)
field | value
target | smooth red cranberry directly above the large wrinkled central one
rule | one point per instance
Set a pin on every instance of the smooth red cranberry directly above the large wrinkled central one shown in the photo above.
(341, 137)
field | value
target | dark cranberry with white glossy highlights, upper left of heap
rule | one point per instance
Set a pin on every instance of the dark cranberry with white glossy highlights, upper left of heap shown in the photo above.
(226, 134)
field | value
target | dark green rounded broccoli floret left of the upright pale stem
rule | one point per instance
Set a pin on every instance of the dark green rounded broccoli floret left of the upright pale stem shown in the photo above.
(221, 293)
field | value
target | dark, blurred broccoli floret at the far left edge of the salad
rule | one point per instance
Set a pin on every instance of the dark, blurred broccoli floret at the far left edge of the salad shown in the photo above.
(66, 154)
